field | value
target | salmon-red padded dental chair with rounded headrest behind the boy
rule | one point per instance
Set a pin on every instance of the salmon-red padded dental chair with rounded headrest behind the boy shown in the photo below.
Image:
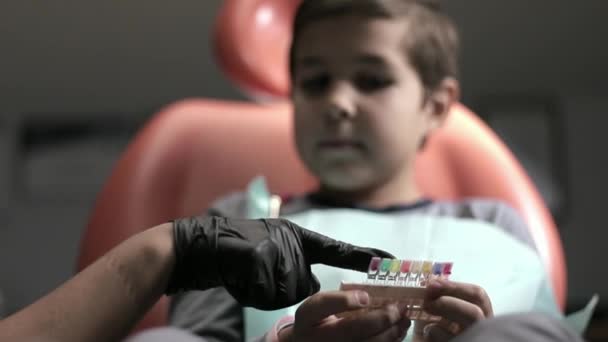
(196, 150)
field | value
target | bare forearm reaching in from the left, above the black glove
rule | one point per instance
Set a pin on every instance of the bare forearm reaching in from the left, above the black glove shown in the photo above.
(112, 293)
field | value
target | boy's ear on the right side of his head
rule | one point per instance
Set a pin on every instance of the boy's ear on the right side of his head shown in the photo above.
(441, 101)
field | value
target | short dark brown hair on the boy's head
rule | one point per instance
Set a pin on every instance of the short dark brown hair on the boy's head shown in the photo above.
(432, 45)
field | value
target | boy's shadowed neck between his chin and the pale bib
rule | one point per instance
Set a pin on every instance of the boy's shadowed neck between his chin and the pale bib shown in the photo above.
(392, 193)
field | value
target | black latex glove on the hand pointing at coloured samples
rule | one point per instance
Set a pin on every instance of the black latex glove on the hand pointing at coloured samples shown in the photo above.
(262, 263)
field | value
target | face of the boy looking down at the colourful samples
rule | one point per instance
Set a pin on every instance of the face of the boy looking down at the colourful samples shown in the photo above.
(360, 108)
